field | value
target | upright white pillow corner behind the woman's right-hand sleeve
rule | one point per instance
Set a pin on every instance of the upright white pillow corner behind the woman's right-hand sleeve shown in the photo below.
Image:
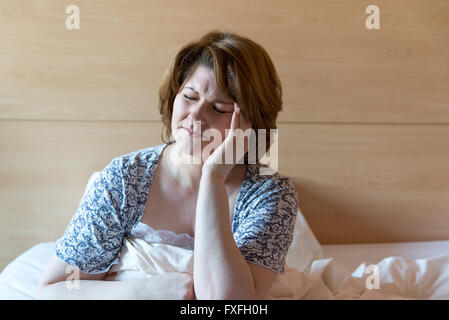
(305, 247)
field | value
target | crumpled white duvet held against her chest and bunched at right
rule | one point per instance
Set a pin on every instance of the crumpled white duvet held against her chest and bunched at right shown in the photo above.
(328, 279)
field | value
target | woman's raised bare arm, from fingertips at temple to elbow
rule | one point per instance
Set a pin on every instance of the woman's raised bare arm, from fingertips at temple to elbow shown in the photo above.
(220, 270)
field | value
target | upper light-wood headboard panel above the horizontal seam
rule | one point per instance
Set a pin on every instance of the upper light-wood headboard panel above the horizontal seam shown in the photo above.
(332, 68)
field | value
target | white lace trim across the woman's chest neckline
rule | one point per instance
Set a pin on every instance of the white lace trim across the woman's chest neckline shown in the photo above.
(145, 232)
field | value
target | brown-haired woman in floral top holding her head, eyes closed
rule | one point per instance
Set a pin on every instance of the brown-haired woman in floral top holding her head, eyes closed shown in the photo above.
(239, 222)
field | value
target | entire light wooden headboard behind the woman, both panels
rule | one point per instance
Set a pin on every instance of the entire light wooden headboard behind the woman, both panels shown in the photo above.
(364, 132)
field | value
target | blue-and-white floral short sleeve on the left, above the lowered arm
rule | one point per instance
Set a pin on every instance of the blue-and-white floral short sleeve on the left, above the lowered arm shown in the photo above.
(92, 240)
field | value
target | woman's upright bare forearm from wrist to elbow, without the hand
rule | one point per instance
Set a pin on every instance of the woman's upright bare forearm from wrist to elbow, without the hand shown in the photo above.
(220, 270)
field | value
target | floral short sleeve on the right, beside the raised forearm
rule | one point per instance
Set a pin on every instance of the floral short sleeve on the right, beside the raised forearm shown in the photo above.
(266, 231)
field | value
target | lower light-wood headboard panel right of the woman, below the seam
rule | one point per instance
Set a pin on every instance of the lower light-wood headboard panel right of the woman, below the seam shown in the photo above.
(370, 183)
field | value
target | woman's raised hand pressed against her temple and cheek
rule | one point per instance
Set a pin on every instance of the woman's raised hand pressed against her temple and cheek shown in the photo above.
(216, 162)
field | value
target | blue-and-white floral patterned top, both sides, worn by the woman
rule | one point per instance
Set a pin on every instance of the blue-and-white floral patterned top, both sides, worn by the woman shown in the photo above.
(262, 225)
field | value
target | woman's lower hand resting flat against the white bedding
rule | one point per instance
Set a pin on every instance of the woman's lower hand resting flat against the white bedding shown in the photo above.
(168, 286)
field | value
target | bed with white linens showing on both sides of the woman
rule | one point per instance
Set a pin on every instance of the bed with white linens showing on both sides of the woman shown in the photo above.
(407, 270)
